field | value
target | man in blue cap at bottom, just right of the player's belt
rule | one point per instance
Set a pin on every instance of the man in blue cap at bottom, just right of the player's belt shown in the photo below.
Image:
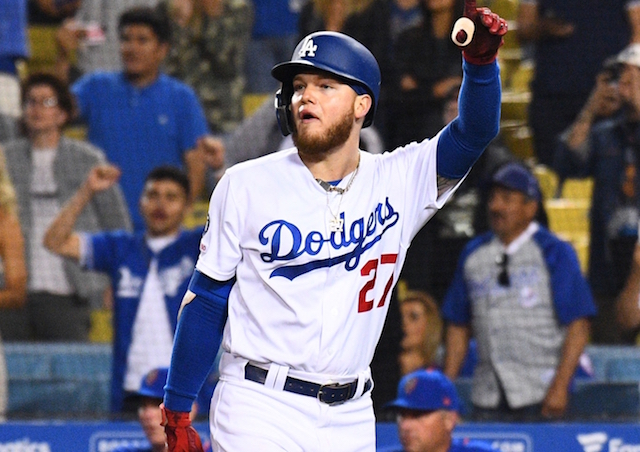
(427, 407)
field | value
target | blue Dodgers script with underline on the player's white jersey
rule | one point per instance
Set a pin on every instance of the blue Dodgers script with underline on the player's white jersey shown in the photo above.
(363, 234)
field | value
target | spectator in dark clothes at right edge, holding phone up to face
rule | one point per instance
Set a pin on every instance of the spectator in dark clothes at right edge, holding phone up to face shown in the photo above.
(610, 154)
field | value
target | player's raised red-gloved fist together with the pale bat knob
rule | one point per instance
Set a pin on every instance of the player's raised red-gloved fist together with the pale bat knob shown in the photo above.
(479, 33)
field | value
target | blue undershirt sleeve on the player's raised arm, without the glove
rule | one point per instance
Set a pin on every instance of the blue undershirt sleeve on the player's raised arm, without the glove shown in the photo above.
(464, 139)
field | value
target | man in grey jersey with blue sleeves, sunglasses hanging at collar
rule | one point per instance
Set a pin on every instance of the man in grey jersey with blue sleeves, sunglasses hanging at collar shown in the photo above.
(520, 289)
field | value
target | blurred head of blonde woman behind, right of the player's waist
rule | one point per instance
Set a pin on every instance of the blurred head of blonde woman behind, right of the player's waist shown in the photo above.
(422, 329)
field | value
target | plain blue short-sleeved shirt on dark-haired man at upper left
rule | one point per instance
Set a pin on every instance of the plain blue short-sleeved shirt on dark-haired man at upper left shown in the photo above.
(139, 128)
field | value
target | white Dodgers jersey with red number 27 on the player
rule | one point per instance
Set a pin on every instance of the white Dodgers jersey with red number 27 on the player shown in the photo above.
(306, 297)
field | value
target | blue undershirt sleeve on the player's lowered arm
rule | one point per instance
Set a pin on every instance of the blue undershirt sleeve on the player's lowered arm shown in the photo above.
(197, 340)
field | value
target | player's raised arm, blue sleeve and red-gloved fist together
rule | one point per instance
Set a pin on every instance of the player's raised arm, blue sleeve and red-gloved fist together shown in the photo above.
(479, 34)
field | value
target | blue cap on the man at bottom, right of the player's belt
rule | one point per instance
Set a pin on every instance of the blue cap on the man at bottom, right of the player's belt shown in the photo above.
(426, 390)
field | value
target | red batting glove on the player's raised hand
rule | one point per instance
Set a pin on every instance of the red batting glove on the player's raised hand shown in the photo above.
(487, 38)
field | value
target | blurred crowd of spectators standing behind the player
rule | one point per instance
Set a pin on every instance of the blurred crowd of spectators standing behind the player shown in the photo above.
(158, 89)
